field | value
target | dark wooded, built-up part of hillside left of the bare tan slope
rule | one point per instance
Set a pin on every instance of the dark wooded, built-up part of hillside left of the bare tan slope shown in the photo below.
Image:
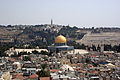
(37, 35)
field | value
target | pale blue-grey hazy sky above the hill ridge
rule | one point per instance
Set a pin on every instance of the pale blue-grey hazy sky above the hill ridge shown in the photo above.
(80, 13)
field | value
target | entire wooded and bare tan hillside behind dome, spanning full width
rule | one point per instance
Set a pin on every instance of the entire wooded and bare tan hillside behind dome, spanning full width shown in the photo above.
(43, 35)
